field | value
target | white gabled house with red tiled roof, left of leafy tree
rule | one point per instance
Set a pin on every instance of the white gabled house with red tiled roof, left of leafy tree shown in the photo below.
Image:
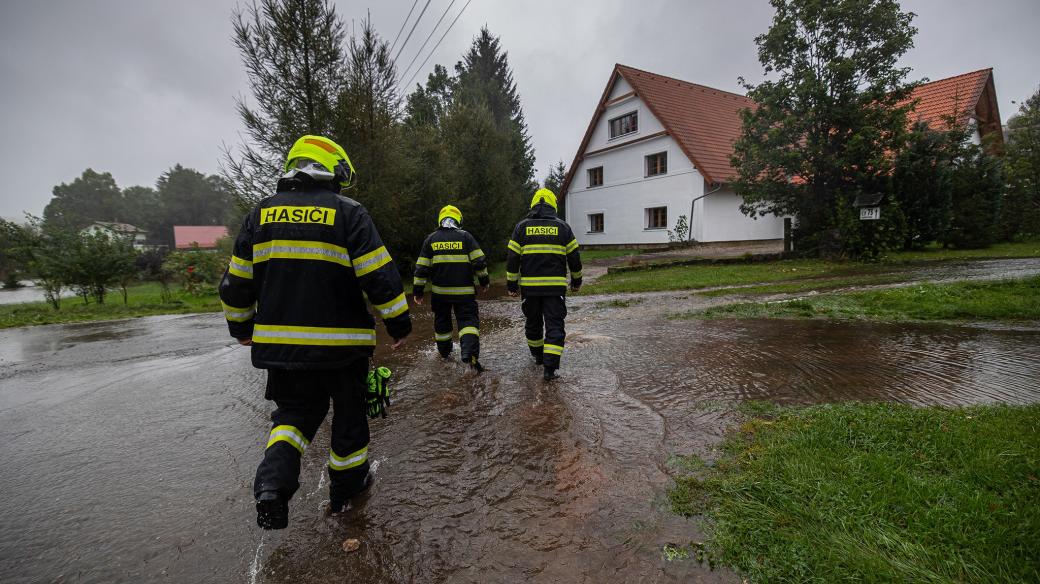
(659, 149)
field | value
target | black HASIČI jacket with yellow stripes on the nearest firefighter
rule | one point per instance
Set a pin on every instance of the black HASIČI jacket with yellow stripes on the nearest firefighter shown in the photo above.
(303, 266)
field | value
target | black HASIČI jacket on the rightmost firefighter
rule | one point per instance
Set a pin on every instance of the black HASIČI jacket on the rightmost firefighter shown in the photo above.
(540, 253)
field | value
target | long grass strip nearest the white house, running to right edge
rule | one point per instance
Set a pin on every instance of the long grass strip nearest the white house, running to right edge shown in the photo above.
(798, 275)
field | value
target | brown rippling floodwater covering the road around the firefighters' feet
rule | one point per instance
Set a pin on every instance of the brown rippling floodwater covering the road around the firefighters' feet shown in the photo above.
(129, 447)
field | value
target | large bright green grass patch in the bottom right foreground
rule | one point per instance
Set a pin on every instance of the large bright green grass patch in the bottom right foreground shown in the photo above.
(874, 493)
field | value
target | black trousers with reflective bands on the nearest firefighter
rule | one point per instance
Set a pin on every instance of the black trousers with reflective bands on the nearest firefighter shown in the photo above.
(303, 399)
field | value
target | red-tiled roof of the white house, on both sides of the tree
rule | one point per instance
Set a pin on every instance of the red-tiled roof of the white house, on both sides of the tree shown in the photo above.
(707, 122)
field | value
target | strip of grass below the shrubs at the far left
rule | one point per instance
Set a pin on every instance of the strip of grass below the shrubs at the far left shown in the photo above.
(144, 300)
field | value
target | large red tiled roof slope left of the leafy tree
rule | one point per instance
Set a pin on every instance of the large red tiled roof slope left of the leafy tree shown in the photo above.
(704, 121)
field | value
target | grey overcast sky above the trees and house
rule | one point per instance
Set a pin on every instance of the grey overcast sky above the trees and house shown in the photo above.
(134, 88)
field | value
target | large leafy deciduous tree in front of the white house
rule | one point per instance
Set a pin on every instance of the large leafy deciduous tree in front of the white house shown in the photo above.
(825, 127)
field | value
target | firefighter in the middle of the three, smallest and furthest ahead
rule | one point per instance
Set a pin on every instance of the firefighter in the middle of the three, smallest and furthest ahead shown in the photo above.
(451, 261)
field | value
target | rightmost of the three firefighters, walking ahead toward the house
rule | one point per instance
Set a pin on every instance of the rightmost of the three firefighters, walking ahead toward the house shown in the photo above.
(541, 252)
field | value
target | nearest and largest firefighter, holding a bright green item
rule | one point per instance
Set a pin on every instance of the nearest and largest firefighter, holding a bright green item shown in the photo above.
(303, 264)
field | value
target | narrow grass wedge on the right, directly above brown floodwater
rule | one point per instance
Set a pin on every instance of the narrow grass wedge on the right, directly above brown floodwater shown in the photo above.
(1007, 301)
